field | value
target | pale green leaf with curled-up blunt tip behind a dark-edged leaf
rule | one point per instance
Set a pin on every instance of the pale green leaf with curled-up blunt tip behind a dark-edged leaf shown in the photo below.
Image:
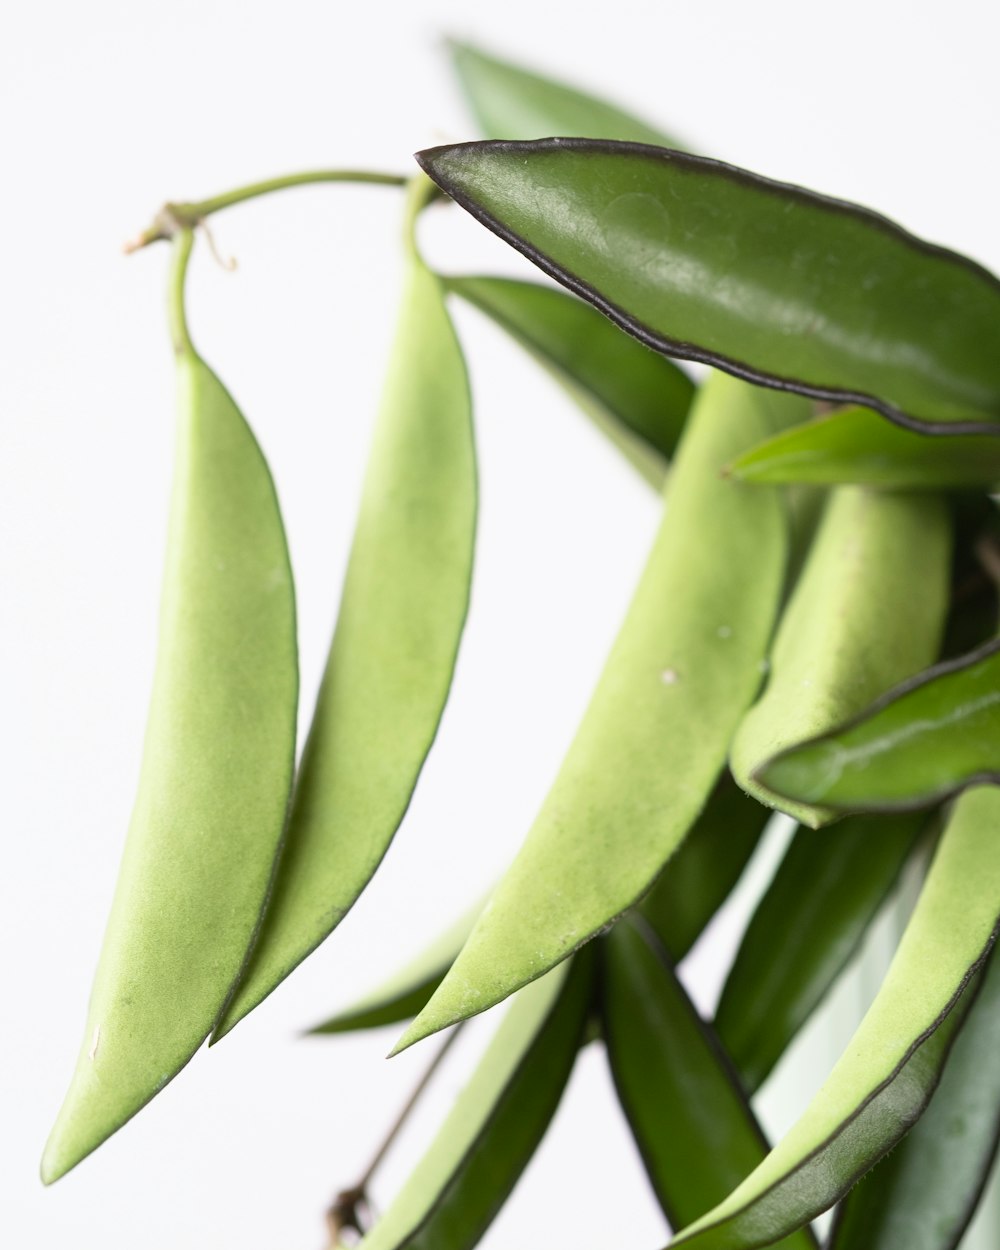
(867, 612)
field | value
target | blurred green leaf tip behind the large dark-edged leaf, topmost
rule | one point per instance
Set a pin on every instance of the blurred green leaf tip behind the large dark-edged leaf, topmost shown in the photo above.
(513, 103)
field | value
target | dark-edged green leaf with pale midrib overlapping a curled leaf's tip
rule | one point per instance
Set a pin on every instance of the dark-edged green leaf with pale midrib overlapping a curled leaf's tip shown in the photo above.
(929, 738)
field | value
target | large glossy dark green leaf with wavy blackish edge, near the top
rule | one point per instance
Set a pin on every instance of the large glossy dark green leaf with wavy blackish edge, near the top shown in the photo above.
(771, 282)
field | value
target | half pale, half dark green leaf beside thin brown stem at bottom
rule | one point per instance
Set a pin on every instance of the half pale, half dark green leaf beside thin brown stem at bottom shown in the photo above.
(497, 1123)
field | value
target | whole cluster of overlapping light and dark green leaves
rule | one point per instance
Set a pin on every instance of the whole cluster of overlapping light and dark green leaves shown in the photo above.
(797, 643)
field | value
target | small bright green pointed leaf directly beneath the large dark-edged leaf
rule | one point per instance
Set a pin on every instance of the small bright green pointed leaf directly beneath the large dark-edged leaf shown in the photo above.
(857, 446)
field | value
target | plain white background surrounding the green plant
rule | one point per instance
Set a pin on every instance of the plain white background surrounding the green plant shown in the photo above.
(108, 109)
